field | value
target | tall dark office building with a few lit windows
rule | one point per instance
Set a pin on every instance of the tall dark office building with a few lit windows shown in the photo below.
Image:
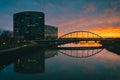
(29, 25)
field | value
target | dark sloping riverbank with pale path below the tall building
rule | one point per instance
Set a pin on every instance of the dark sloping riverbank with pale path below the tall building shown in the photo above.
(21, 48)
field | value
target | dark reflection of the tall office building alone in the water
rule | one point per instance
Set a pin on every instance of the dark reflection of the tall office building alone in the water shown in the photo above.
(33, 63)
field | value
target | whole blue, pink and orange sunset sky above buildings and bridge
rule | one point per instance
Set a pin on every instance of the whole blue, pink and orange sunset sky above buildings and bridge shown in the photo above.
(99, 16)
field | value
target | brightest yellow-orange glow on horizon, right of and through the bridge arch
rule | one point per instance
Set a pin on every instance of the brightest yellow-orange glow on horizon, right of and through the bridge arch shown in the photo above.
(105, 32)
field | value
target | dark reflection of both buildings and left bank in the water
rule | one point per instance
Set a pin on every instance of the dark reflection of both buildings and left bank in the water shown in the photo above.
(27, 63)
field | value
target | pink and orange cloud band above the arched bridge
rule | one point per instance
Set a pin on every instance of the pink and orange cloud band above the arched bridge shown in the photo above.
(92, 23)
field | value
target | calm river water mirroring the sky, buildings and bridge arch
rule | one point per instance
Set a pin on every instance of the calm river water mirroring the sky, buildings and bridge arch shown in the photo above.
(43, 64)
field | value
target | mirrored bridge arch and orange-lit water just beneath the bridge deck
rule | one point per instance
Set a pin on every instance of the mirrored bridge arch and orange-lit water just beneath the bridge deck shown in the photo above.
(82, 49)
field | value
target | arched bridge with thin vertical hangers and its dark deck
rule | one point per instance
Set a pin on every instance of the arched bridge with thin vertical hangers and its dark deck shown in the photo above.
(75, 36)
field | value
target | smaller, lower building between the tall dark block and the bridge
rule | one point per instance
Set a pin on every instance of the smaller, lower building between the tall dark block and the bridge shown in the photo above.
(51, 32)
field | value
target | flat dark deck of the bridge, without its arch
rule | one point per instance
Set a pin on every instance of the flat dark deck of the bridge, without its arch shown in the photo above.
(68, 40)
